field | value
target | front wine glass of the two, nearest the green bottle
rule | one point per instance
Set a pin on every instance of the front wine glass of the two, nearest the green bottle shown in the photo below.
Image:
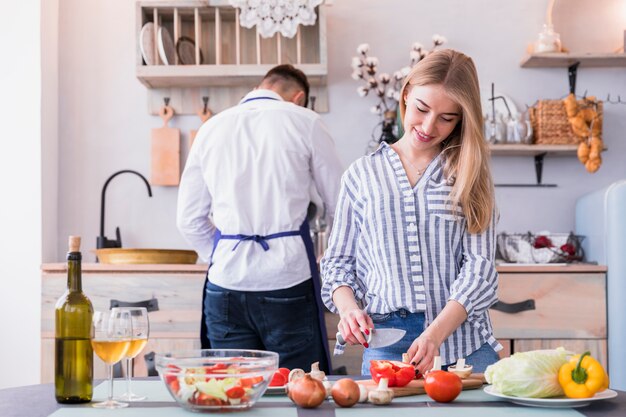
(111, 336)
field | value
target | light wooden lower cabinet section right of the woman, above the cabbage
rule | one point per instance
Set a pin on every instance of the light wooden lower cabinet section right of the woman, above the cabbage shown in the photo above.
(569, 309)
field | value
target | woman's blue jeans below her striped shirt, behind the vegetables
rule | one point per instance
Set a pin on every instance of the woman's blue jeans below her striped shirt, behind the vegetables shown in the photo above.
(413, 323)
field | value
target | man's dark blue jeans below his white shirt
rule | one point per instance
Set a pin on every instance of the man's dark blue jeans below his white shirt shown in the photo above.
(283, 321)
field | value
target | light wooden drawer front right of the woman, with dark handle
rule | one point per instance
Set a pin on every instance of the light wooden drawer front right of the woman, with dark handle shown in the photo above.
(567, 306)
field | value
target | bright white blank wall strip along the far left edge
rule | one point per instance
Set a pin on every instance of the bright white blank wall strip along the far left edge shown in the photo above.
(20, 182)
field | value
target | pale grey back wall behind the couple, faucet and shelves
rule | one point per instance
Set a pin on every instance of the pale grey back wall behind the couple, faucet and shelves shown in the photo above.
(104, 125)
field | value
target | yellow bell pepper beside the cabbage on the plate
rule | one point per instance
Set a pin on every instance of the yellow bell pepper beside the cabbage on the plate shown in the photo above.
(582, 377)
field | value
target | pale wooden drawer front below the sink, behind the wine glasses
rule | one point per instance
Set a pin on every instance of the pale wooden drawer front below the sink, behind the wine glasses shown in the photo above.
(179, 299)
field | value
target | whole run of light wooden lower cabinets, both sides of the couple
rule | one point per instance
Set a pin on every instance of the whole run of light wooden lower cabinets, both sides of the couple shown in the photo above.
(569, 309)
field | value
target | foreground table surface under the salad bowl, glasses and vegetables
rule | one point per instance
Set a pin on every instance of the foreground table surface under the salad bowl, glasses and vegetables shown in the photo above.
(19, 402)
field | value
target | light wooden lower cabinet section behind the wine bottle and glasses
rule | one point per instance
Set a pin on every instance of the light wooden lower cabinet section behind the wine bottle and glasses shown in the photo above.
(176, 289)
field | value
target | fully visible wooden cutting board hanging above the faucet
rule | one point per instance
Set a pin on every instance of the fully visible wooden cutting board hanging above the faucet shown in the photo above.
(165, 151)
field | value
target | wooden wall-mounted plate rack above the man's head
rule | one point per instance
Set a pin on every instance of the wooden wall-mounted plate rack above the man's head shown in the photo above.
(227, 60)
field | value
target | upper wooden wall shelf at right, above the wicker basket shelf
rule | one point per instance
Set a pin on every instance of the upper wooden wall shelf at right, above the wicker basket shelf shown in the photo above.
(564, 60)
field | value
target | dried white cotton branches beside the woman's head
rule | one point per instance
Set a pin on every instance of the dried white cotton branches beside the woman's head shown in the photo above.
(386, 87)
